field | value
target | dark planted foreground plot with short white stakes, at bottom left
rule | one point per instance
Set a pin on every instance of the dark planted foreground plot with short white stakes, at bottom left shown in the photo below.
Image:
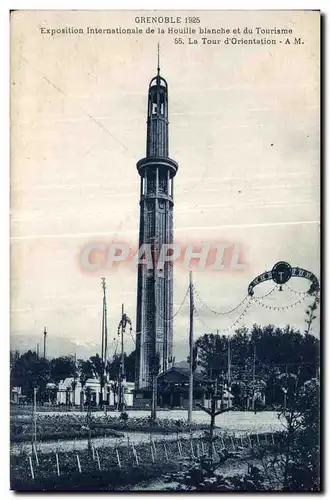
(104, 468)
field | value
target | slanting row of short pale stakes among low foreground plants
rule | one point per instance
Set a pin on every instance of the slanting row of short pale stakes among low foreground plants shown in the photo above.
(91, 459)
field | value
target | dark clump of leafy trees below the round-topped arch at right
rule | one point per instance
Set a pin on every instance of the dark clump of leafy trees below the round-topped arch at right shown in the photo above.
(276, 351)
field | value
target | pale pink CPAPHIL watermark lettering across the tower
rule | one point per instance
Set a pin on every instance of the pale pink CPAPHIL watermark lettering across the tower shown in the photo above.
(210, 256)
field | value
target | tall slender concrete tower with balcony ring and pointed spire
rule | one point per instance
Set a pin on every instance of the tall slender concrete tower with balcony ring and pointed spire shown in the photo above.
(155, 286)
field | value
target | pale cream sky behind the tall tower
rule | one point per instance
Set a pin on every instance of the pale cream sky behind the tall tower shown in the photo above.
(244, 129)
